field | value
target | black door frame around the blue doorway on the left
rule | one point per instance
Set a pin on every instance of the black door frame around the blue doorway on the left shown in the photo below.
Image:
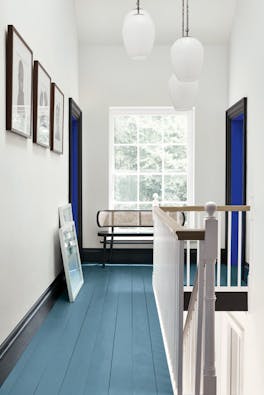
(75, 111)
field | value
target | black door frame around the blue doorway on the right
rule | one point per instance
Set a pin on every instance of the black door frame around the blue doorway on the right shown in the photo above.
(237, 109)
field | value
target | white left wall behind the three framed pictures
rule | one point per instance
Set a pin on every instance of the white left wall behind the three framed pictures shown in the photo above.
(34, 181)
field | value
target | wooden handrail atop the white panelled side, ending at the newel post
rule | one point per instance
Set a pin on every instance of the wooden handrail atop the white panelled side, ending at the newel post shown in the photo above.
(181, 232)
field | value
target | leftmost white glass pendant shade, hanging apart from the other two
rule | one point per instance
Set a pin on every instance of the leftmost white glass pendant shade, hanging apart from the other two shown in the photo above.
(138, 34)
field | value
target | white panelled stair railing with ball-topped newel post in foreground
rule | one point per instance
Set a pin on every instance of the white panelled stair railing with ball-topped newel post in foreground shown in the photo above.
(190, 352)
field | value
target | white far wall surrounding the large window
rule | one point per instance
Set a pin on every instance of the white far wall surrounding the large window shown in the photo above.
(109, 78)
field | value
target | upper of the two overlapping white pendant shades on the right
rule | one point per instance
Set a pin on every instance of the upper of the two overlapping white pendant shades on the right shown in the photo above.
(187, 55)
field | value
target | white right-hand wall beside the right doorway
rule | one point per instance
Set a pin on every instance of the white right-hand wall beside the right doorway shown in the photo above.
(247, 79)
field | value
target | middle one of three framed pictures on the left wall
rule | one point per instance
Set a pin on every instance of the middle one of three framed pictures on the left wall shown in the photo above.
(41, 105)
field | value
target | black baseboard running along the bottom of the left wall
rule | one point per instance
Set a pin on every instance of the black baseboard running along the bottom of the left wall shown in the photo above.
(12, 348)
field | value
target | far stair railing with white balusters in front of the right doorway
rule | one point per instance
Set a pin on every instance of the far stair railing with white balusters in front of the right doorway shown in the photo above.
(231, 271)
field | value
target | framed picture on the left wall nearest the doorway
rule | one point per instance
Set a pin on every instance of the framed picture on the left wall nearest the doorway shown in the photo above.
(57, 119)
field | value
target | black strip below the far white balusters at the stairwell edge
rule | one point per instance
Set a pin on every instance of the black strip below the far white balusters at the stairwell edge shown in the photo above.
(225, 301)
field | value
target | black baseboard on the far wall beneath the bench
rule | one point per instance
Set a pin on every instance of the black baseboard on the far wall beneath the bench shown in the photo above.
(136, 256)
